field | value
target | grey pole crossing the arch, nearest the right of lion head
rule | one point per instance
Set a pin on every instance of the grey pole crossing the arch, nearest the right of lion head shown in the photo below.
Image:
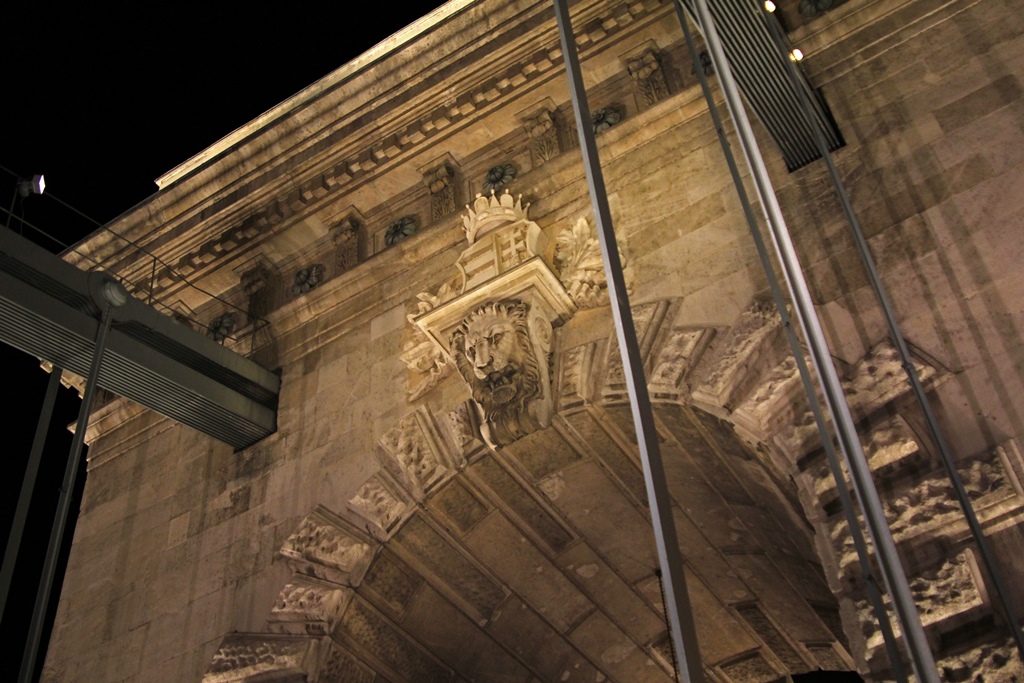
(679, 614)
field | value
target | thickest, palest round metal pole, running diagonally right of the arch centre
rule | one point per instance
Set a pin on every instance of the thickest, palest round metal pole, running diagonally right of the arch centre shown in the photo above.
(914, 633)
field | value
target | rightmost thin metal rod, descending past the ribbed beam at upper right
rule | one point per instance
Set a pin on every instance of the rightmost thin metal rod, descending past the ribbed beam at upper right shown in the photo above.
(946, 455)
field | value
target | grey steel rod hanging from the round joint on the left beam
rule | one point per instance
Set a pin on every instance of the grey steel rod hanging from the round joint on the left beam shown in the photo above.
(64, 504)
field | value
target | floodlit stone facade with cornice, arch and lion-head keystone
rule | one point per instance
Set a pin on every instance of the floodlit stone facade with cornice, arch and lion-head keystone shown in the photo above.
(454, 492)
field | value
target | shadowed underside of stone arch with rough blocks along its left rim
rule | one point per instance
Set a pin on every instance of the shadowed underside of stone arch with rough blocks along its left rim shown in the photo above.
(535, 562)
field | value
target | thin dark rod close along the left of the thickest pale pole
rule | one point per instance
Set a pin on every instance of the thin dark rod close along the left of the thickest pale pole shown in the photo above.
(849, 513)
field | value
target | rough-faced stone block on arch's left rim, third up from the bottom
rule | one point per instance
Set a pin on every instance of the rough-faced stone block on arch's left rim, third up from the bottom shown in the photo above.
(326, 548)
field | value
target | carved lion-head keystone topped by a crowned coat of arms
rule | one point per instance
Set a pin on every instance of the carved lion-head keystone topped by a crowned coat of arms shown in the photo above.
(498, 329)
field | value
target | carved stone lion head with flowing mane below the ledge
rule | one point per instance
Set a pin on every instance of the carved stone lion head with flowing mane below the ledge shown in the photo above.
(494, 353)
